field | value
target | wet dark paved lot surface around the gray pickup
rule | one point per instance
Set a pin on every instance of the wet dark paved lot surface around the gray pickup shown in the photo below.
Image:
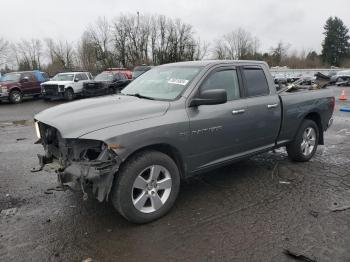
(249, 211)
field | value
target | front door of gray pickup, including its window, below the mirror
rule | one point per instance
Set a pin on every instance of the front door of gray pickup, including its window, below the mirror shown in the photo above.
(217, 132)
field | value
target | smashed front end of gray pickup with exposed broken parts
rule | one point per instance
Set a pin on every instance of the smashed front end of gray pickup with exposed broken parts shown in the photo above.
(79, 162)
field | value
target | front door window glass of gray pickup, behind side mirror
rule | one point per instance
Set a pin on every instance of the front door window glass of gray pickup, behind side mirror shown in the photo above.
(225, 79)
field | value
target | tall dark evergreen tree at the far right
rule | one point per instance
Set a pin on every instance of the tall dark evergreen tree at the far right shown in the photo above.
(335, 46)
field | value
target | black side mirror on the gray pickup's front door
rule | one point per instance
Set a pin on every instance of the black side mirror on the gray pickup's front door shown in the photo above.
(210, 97)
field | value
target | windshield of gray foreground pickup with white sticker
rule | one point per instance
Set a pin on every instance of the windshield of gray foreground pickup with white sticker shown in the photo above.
(162, 82)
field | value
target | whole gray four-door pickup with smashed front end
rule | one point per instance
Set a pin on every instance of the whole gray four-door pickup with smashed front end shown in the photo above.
(173, 122)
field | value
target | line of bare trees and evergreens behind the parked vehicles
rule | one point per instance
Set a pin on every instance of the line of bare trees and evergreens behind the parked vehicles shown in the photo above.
(130, 40)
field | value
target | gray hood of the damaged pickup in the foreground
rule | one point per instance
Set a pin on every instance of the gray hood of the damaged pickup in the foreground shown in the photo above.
(79, 118)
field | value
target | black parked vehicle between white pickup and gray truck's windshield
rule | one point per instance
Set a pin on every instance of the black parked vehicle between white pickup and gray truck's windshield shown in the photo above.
(108, 82)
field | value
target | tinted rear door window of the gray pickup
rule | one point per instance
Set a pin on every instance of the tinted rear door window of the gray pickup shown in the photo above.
(256, 83)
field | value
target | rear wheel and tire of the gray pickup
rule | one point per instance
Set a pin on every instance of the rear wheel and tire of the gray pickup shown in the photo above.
(304, 145)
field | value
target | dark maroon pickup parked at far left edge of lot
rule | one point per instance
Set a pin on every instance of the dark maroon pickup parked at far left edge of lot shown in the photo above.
(17, 85)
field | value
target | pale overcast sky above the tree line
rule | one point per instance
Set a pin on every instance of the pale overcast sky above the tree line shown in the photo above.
(298, 22)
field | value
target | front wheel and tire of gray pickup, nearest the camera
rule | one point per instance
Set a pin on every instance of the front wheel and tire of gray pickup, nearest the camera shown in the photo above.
(146, 187)
